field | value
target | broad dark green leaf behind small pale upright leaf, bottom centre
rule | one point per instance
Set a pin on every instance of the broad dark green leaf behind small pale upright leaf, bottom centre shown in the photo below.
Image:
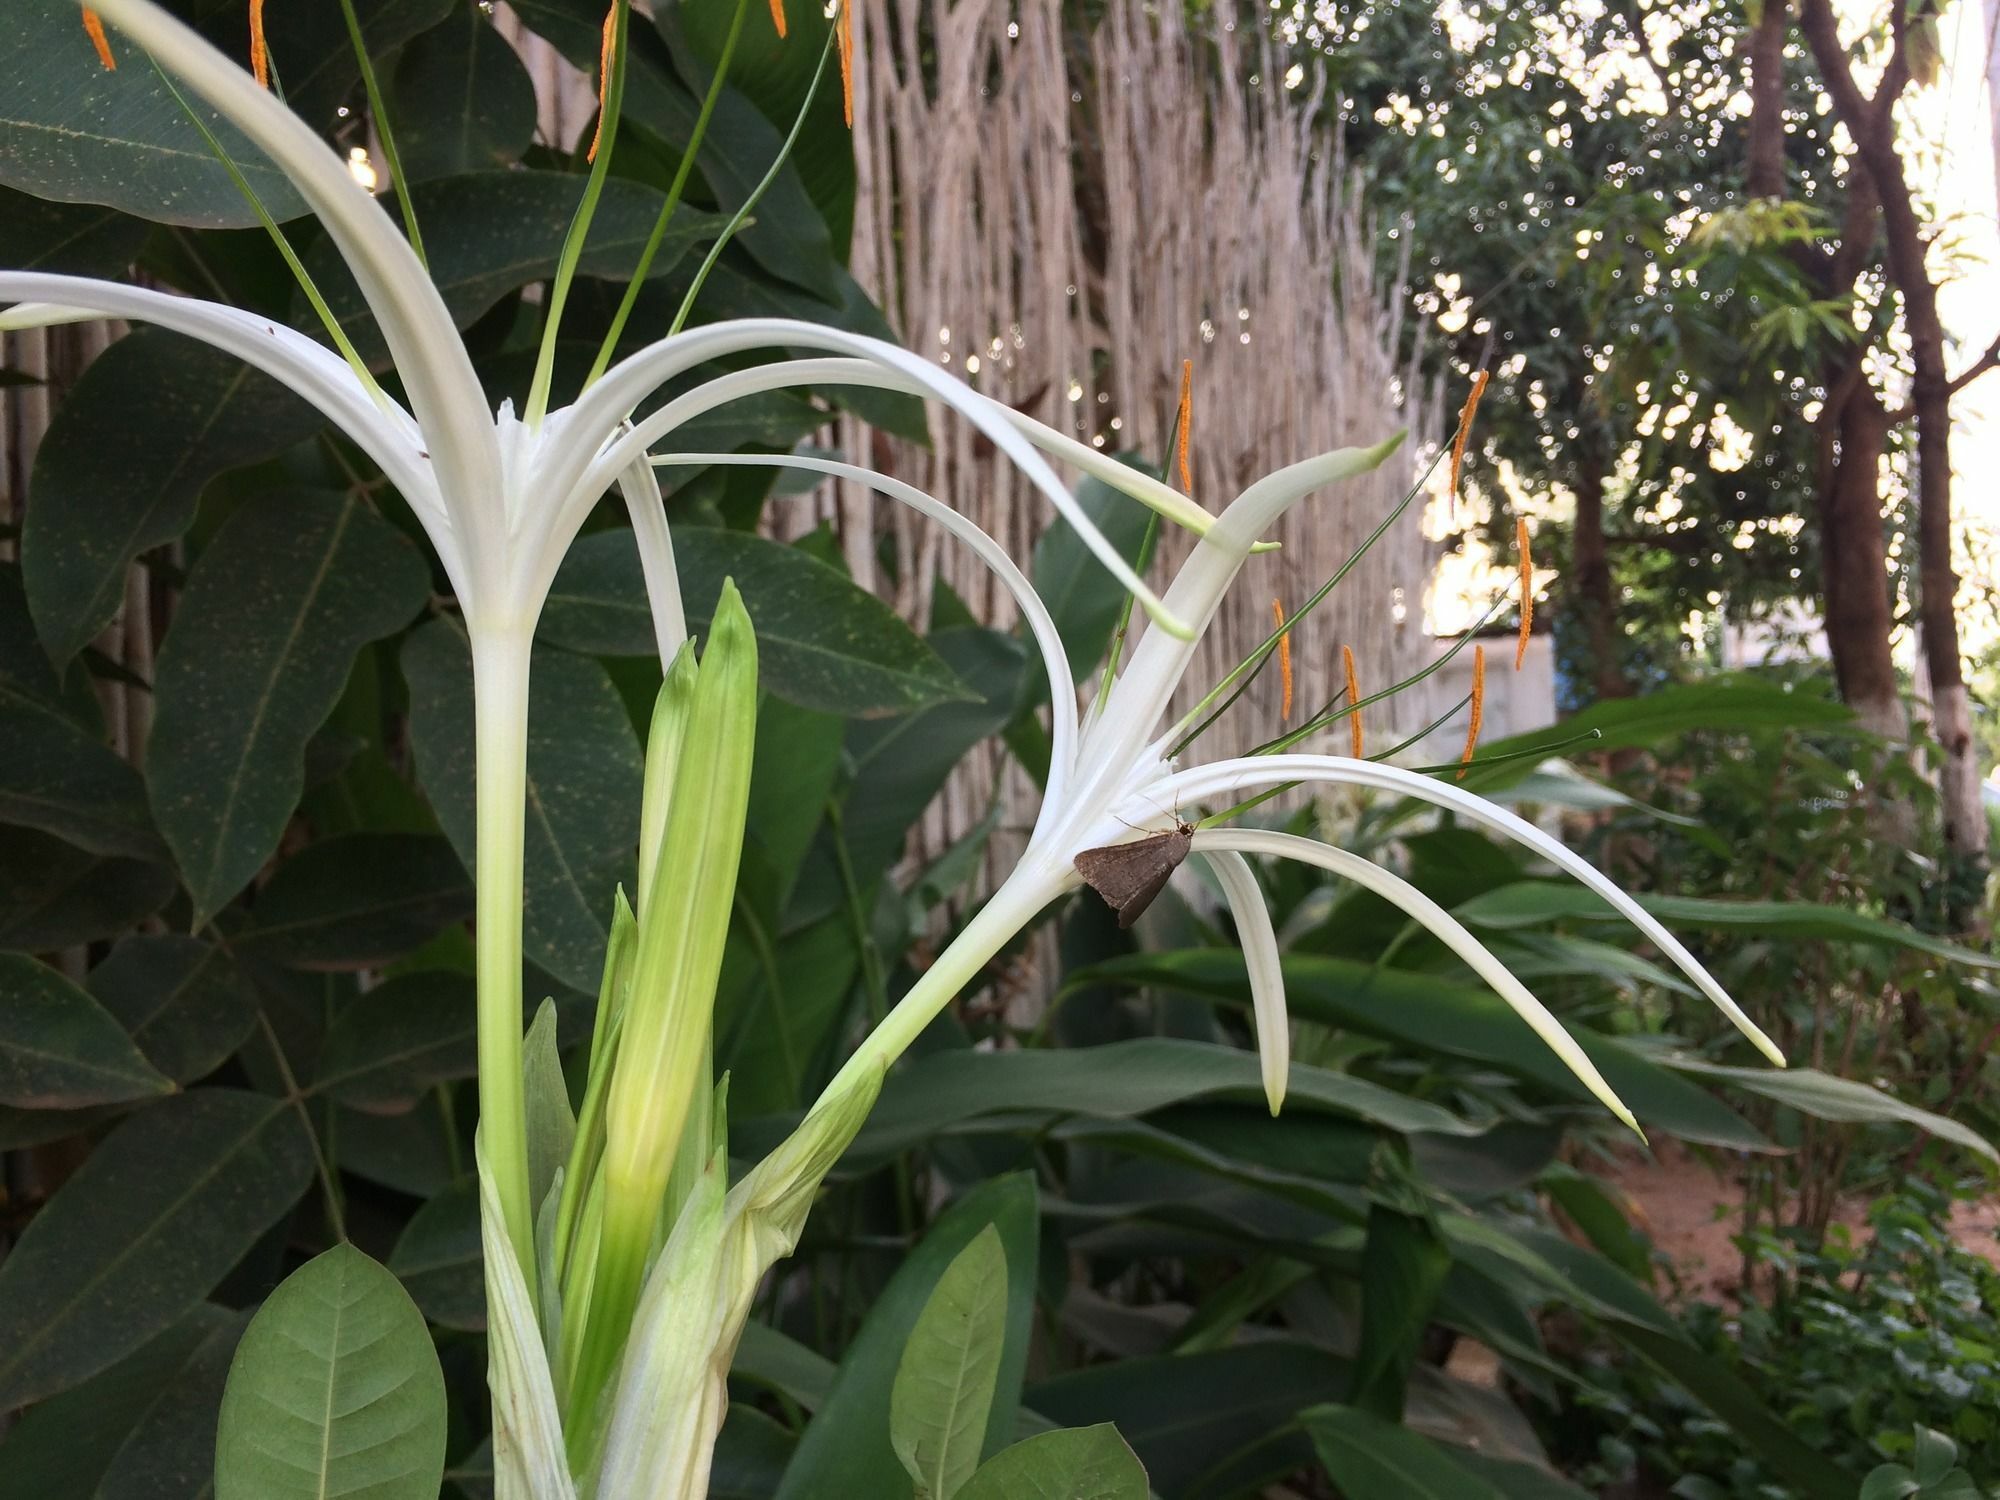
(847, 1447)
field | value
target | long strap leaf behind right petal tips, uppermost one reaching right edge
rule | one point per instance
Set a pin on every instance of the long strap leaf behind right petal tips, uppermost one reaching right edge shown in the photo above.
(1531, 903)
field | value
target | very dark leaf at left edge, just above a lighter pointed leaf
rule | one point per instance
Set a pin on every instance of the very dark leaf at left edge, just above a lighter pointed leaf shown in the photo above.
(55, 895)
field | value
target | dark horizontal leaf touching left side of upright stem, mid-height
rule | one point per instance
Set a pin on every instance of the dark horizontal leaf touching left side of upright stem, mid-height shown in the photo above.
(359, 901)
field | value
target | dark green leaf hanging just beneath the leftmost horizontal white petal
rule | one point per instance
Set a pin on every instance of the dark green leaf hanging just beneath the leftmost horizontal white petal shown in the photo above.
(139, 437)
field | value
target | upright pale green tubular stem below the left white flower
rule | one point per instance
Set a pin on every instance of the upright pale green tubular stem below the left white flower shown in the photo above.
(501, 783)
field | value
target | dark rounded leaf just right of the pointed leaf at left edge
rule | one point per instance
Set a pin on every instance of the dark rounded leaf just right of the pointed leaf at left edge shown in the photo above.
(183, 1003)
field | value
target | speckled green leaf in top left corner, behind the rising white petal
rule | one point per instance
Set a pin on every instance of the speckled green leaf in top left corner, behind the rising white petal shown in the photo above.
(77, 133)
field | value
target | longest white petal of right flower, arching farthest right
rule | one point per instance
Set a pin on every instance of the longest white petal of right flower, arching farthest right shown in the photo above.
(1227, 777)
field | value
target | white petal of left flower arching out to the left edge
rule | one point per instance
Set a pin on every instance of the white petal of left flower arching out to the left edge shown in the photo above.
(377, 425)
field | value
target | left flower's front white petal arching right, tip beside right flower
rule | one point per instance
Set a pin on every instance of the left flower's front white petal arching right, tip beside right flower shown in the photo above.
(629, 381)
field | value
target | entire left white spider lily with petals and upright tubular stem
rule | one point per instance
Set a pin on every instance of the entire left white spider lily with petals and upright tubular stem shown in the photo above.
(501, 499)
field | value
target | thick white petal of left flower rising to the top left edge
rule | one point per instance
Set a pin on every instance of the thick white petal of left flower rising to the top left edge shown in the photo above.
(431, 359)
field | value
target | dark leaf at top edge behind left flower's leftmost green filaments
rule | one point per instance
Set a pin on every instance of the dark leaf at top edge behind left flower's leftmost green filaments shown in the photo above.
(463, 101)
